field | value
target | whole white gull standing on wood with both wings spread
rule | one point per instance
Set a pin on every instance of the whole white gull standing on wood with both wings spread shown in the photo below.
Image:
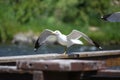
(49, 36)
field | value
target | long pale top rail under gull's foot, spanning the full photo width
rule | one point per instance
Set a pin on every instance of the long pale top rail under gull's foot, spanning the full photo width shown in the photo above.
(80, 55)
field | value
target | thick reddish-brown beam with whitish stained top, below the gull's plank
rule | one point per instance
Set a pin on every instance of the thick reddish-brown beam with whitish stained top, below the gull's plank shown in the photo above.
(61, 65)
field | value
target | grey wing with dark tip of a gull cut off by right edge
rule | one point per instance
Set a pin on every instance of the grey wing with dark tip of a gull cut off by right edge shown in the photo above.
(113, 17)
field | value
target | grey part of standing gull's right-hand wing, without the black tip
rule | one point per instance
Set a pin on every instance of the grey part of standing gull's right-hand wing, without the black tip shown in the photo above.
(75, 34)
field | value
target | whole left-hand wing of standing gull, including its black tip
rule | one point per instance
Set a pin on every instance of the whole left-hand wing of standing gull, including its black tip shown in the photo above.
(41, 39)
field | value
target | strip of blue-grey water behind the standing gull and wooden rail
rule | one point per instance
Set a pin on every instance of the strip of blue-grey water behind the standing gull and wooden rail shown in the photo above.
(13, 50)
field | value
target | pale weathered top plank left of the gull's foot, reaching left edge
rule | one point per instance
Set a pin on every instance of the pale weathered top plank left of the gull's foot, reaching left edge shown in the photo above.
(31, 57)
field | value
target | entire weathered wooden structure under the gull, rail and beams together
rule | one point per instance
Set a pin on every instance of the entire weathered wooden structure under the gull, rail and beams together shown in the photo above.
(83, 66)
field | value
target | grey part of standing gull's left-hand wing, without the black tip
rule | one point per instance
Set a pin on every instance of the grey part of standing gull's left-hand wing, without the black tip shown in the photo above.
(44, 35)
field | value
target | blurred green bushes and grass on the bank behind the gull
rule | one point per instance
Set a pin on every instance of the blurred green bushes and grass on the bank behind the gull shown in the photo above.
(65, 15)
